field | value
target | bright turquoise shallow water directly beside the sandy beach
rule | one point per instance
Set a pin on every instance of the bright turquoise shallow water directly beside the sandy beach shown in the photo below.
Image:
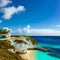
(39, 55)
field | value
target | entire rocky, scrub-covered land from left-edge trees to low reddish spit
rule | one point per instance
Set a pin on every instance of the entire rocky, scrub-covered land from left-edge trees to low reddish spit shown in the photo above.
(15, 47)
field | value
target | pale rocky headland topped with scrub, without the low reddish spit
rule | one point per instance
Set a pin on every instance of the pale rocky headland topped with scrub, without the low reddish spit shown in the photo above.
(23, 42)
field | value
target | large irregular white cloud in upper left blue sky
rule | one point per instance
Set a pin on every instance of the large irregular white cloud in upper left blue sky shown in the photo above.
(9, 11)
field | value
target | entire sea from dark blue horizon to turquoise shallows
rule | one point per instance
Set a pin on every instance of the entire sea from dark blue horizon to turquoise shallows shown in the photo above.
(52, 43)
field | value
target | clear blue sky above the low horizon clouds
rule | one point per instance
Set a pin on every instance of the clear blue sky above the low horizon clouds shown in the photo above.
(39, 14)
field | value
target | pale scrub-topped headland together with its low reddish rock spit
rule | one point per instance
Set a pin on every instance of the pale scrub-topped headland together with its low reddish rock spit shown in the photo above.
(24, 43)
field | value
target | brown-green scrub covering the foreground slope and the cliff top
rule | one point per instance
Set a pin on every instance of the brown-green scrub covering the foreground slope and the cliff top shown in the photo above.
(6, 54)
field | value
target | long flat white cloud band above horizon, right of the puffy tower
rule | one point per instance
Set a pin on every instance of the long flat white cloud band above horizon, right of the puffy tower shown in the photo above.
(45, 32)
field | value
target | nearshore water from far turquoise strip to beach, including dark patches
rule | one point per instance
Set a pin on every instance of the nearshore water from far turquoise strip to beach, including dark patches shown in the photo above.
(53, 55)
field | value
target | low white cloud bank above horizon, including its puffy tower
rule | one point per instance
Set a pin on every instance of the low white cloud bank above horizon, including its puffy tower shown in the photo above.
(39, 32)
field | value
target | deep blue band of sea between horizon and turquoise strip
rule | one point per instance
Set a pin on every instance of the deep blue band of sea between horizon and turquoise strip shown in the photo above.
(48, 39)
